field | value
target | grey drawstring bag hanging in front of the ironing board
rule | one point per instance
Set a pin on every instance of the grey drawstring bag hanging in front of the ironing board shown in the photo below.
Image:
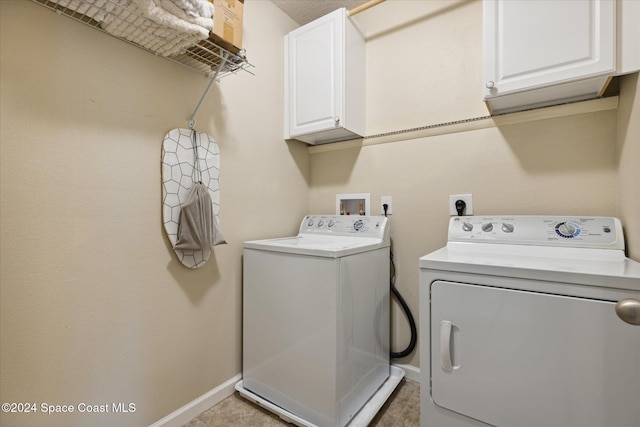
(198, 229)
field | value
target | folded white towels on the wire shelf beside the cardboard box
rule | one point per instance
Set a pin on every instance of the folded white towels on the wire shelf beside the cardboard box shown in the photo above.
(149, 24)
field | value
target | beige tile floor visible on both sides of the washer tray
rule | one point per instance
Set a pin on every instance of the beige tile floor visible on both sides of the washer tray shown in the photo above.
(401, 410)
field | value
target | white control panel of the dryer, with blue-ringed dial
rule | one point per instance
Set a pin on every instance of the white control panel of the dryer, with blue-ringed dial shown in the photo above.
(588, 232)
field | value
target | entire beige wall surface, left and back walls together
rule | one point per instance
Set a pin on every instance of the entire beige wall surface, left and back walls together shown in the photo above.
(94, 306)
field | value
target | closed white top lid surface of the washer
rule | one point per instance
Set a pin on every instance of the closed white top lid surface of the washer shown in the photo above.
(317, 245)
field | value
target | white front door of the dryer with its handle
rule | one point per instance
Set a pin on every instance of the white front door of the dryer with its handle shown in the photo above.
(514, 358)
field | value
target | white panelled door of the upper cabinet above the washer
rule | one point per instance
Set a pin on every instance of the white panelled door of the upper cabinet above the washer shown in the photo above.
(315, 61)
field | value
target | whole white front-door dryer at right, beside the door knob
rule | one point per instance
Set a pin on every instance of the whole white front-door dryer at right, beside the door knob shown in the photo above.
(520, 327)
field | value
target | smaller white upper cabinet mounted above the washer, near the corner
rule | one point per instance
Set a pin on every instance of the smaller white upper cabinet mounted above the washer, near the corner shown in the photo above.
(325, 80)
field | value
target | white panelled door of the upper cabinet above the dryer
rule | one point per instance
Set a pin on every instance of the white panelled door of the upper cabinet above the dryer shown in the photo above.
(532, 44)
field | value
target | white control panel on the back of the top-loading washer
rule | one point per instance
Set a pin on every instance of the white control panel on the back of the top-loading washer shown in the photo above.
(345, 225)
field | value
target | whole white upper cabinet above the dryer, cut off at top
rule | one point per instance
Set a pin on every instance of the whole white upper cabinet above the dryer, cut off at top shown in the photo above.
(540, 53)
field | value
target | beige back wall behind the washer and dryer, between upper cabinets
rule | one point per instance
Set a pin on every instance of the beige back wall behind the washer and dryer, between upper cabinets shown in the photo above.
(564, 165)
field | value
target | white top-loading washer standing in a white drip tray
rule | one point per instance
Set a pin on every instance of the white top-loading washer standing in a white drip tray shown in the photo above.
(316, 322)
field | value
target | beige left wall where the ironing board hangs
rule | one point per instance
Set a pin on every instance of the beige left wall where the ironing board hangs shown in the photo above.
(95, 308)
